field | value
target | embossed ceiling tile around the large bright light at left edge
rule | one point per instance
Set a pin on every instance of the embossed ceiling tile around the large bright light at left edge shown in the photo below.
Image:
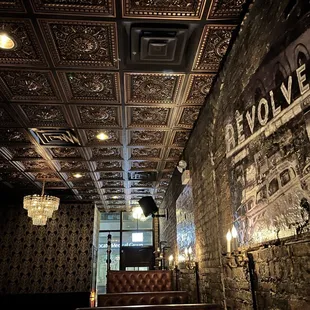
(27, 50)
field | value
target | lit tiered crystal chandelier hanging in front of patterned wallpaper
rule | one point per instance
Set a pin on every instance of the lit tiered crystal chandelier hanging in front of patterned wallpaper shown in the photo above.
(40, 207)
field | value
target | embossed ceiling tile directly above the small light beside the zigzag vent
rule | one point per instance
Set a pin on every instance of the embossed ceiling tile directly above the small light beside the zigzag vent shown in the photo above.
(106, 116)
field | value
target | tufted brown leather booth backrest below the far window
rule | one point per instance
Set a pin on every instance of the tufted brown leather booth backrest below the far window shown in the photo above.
(139, 281)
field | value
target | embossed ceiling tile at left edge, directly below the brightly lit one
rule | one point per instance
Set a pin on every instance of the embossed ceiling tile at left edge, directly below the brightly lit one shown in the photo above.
(26, 85)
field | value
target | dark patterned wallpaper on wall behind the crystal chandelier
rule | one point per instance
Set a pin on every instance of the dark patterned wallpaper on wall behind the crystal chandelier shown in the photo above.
(55, 258)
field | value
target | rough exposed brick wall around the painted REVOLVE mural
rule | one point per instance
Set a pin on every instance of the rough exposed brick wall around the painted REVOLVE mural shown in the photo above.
(215, 186)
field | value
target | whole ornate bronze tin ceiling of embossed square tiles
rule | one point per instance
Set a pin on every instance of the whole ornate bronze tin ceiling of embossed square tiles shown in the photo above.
(137, 71)
